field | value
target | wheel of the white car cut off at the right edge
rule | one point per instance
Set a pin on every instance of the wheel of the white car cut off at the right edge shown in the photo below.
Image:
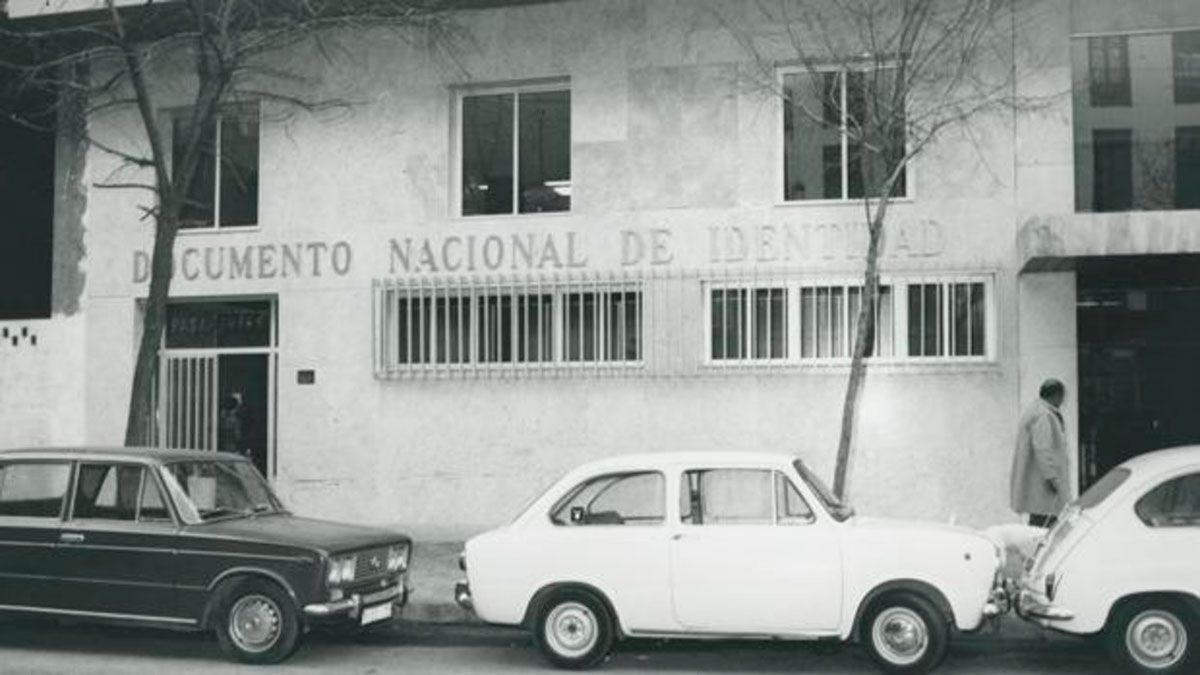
(1156, 636)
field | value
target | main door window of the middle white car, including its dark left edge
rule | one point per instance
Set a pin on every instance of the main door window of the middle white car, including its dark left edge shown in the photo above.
(728, 497)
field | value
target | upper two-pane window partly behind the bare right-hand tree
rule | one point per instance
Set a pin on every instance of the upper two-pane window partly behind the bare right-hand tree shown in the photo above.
(829, 120)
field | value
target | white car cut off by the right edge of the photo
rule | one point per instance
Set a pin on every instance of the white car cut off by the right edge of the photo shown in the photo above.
(1125, 560)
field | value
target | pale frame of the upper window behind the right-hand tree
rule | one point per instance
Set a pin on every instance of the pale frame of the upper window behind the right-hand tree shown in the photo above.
(781, 136)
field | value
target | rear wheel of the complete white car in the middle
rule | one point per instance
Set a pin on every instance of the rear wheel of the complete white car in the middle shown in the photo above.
(574, 630)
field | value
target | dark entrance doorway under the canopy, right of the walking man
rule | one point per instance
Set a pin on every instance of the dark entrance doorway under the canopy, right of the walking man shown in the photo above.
(1139, 359)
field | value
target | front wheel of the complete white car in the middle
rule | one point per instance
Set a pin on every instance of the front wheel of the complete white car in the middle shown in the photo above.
(905, 634)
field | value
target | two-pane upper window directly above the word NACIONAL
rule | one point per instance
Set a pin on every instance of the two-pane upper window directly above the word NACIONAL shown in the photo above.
(515, 150)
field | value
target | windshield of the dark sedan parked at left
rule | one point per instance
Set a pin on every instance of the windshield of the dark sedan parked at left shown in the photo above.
(217, 489)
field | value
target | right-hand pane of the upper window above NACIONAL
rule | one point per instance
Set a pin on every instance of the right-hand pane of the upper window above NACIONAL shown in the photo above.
(545, 151)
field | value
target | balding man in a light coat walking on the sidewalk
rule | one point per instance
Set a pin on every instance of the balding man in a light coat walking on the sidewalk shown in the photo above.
(1041, 485)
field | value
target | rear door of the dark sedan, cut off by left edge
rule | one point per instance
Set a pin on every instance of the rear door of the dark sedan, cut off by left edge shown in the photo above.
(32, 499)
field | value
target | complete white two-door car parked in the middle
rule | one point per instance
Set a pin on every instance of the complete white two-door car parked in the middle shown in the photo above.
(725, 546)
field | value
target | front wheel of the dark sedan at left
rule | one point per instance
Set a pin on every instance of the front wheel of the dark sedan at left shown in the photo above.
(256, 622)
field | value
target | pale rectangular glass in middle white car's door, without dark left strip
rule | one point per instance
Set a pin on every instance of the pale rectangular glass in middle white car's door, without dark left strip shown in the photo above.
(736, 497)
